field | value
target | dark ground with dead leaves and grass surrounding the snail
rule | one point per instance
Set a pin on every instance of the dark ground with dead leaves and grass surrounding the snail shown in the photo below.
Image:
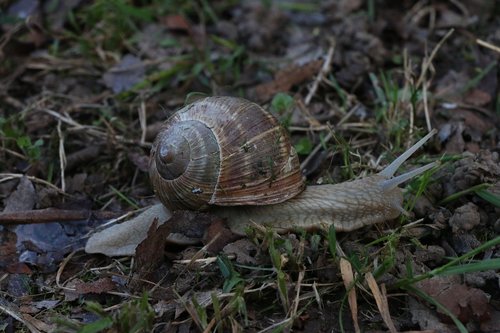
(86, 85)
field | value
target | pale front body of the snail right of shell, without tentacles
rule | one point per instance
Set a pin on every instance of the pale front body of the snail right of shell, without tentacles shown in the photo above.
(348, 206)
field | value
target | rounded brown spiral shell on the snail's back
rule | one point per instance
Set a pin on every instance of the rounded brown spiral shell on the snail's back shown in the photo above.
(238, 155)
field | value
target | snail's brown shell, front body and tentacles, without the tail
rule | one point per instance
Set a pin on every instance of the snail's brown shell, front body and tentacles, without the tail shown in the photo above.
(231, 156)
